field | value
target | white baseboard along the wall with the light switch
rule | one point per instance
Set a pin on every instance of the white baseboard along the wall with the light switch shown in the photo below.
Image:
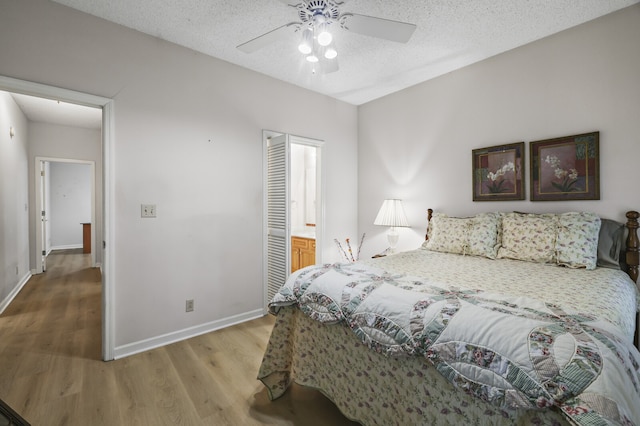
(187, 333)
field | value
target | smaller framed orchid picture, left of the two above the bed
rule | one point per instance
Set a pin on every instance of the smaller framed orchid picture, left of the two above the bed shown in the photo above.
(498, 173)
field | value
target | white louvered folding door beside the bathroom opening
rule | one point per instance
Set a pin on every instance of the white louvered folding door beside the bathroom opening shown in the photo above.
(278, 241)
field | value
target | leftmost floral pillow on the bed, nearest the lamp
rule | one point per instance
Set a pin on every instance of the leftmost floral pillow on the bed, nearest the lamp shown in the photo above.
(476, 236)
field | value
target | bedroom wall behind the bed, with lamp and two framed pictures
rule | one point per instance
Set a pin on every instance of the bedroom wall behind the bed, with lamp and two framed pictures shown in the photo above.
(416, 144)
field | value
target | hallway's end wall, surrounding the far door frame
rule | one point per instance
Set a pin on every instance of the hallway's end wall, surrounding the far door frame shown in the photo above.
(70, 143)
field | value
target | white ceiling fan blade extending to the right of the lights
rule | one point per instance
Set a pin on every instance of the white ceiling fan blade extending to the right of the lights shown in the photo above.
(378, 27)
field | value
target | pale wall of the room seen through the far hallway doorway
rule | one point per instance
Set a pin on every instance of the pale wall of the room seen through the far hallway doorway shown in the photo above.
(70, 203)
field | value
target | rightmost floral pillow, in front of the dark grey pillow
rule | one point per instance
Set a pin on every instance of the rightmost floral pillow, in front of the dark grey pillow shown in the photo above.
(577, 242)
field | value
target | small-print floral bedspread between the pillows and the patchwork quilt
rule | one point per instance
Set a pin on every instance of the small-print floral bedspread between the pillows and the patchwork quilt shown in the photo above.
(606, 293)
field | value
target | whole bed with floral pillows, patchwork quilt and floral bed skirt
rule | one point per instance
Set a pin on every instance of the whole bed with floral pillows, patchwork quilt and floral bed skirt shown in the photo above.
(499, 318)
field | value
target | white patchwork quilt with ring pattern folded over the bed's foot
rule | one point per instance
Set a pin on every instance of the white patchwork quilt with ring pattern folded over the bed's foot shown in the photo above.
(515, 352)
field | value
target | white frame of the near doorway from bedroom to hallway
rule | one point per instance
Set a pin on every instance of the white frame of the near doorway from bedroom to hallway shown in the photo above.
(108, 182)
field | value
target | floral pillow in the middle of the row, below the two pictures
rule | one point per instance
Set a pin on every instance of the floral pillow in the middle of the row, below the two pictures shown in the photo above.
(529, 237)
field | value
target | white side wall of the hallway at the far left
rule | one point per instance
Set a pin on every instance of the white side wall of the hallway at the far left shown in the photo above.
(14, 202)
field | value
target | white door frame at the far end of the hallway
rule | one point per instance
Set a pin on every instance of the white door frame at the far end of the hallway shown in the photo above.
(39, 189)
